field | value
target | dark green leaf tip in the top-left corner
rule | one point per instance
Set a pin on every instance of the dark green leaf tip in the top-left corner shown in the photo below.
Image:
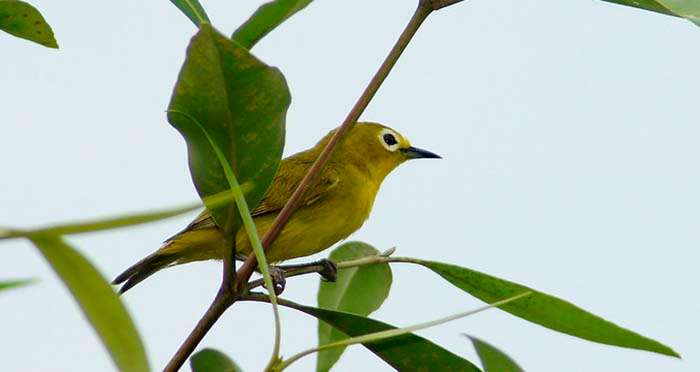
(23, 20)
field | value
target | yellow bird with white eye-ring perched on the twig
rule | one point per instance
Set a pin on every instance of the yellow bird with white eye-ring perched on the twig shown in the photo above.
(334, 207)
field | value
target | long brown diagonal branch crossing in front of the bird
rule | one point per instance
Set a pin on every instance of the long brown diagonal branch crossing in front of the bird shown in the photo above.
(234, 284)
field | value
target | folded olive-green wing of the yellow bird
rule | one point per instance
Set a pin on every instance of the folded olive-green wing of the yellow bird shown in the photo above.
(290, 173)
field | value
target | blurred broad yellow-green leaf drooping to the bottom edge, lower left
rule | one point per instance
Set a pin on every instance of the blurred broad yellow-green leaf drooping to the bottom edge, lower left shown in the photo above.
(101, 306)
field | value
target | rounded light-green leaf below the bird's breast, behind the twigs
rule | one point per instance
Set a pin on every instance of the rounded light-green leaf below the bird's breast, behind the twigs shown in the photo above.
(358, 290)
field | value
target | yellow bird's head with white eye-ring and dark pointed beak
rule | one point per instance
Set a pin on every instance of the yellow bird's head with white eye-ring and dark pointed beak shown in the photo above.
(378, 148)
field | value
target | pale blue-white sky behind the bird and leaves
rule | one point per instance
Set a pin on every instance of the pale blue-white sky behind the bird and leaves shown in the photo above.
(570, 140)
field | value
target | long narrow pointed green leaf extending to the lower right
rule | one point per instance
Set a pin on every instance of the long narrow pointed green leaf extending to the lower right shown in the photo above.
(545, 310)
